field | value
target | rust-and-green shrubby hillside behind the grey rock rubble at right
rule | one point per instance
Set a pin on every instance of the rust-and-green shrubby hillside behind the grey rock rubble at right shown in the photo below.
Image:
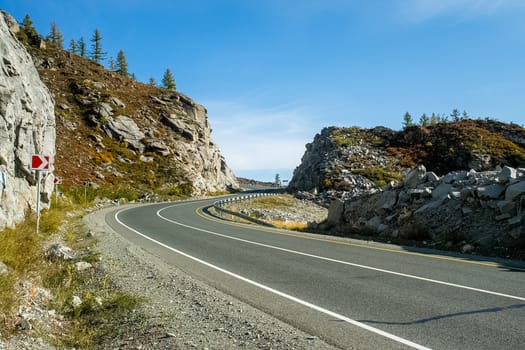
(353, 160)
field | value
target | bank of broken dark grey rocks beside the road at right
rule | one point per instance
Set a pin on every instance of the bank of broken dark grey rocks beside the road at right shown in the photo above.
(466, 210)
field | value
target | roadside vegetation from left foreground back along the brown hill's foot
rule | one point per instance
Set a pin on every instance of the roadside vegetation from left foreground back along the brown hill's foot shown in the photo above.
(30, 269)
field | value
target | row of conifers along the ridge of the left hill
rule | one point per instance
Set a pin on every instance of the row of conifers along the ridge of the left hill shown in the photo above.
(29, 35)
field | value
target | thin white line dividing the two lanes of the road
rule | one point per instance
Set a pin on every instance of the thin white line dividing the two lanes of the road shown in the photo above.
(344, 262)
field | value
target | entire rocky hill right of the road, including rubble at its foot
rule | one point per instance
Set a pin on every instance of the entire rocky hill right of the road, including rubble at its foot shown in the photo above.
(458, 186)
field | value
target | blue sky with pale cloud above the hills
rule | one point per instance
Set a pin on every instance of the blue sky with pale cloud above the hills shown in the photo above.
(273, 73)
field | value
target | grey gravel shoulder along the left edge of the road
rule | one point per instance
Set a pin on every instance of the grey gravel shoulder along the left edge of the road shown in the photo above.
(181, 312)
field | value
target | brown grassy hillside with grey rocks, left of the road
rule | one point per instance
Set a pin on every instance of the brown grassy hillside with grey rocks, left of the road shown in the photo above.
(113, 130)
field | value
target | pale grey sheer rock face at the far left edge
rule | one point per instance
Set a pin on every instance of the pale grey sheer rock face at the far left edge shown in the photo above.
(27, 126)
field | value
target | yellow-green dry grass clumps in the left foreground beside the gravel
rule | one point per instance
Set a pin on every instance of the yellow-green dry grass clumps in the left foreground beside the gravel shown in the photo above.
(103, 307)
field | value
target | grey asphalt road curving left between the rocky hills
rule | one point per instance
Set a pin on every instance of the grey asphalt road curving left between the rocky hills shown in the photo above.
(349, 293)
